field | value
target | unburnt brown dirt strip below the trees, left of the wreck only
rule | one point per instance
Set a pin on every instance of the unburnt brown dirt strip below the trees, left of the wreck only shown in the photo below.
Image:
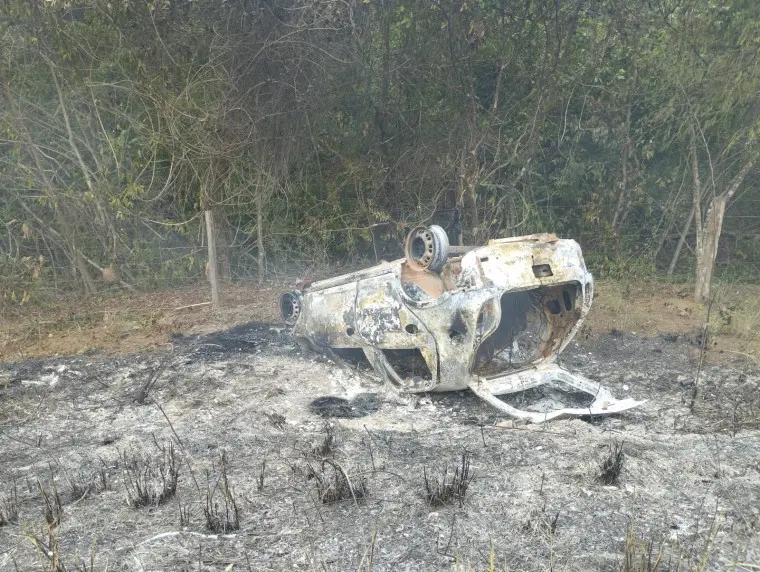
(129, 322)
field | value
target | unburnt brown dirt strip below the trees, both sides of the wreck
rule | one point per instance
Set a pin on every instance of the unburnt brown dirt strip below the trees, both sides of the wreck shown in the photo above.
(127, 323)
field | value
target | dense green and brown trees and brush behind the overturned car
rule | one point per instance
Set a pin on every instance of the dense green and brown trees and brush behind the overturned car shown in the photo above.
(317, 131)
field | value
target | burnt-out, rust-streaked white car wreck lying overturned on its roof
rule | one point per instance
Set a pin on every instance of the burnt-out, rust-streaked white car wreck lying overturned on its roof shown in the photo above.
(493, 319)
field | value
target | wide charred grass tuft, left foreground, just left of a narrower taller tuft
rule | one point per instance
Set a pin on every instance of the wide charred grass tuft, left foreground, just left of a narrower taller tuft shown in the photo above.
(149, 481)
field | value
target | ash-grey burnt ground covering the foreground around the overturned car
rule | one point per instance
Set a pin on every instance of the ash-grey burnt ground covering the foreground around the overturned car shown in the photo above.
(689, 485)
